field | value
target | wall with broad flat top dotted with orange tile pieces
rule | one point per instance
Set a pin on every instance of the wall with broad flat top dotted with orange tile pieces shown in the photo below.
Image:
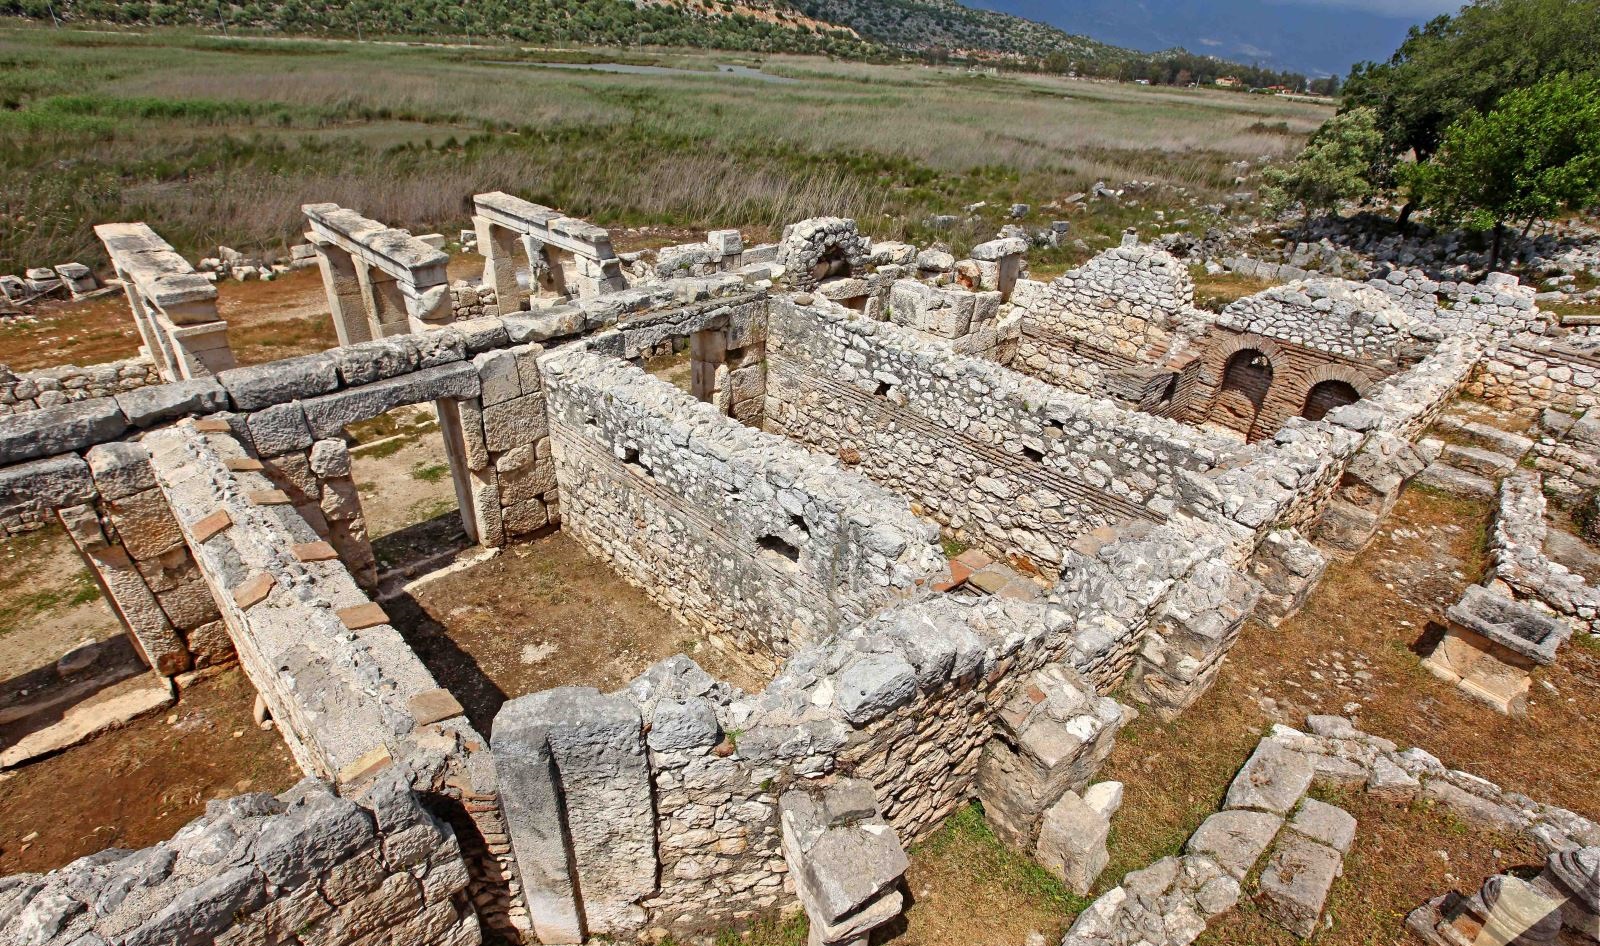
(348, 694)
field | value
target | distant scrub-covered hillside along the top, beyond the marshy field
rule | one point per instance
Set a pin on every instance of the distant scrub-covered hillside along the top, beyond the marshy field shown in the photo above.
(857, 30)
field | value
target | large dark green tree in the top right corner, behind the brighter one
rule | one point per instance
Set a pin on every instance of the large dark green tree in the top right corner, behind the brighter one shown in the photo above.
(1465, 63)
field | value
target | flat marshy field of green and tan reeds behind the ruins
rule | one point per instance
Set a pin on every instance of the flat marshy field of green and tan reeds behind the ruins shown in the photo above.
(218, 142)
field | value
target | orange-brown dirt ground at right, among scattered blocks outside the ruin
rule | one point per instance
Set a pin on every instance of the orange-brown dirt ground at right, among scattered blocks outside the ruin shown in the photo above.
(1353, 651)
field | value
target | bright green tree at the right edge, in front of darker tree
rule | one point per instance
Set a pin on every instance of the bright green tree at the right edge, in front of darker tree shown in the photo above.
(1530, 158)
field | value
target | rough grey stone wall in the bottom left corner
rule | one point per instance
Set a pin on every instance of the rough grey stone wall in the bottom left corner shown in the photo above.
(305, 867)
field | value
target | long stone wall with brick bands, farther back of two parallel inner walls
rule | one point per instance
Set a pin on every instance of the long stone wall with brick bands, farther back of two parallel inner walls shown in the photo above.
(1002, 460)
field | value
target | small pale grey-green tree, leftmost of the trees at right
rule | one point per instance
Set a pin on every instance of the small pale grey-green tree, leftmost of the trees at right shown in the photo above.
(1335, 167)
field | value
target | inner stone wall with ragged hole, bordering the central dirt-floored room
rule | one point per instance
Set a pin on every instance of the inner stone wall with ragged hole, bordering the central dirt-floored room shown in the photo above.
(734, 531)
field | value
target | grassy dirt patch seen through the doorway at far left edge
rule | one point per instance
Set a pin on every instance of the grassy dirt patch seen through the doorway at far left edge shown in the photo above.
(52, 604)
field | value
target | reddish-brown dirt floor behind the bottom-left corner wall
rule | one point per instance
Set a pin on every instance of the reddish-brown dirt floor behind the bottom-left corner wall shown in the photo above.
(137, 785)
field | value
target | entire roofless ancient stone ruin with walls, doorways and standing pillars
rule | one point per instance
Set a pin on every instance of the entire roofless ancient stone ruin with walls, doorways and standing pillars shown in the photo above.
(1124, 478)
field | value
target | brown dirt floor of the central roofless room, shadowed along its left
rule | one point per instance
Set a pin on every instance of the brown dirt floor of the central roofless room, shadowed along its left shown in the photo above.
(542, 614)
